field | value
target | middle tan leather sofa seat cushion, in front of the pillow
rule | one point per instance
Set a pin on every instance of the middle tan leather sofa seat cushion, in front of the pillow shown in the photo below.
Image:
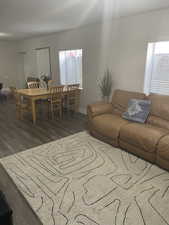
(144, 136)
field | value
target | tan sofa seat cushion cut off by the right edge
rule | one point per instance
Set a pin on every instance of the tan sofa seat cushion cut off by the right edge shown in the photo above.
(163, 148)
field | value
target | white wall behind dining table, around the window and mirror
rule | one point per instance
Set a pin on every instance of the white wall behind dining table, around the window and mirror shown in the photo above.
(88, 38)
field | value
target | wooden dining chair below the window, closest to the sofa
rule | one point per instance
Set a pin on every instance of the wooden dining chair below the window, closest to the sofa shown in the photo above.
(73, 97)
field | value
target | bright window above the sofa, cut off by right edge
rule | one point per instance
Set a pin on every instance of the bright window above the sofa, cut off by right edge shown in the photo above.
(157, 68)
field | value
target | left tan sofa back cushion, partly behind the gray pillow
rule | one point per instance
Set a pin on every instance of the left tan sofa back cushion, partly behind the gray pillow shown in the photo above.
(121, 98)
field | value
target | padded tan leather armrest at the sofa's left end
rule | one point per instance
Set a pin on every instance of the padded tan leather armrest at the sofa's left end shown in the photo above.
(98, 108)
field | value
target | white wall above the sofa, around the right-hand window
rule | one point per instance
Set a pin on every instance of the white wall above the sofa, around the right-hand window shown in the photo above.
(134, 34)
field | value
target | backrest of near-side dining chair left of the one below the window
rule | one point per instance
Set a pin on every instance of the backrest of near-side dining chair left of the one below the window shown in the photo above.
(56, 93)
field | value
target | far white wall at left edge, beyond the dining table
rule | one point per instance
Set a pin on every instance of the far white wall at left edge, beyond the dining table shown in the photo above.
(11, 65)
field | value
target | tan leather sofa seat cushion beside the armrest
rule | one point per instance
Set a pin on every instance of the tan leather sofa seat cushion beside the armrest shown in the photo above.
(109, 125)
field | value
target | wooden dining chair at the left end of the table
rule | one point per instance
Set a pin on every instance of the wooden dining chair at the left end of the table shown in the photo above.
(21, 106)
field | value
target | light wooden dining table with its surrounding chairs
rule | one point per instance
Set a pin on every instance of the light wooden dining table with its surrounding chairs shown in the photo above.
(57, 99)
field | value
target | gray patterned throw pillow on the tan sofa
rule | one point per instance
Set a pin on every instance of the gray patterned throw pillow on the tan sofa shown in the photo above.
(138, 110)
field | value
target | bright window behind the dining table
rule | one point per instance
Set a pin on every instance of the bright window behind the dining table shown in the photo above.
(70, 62)
